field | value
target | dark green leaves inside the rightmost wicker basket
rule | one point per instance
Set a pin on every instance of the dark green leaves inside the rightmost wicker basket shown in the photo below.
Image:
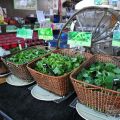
(100, 74)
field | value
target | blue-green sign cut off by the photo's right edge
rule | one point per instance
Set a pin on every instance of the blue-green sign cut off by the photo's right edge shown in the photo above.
(116, 38)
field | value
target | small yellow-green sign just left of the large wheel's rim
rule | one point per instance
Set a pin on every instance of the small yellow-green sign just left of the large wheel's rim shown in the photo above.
(45, 33)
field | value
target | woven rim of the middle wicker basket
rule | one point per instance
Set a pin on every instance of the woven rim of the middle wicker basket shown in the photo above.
(65, 74)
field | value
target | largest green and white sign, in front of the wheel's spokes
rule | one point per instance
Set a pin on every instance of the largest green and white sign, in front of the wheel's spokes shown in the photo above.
(76, 39)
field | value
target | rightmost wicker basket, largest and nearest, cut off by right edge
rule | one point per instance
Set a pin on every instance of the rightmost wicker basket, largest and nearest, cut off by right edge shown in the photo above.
(98, 98)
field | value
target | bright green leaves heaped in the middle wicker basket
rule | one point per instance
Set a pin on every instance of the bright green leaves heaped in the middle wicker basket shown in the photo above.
(57, 64)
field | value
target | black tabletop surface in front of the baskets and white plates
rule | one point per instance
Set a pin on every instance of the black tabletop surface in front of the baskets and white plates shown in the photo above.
(18, 104)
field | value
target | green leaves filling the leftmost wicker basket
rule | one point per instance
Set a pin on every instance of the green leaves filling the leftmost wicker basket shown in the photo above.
(26, 56)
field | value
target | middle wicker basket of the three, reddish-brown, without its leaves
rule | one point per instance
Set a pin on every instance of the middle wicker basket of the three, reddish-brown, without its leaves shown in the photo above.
(59, 85)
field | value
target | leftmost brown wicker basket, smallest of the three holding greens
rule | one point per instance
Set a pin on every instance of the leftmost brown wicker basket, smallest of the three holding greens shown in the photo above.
(21, 70)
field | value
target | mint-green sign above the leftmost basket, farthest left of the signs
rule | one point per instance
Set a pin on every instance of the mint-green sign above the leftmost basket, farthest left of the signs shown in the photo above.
(25, 33)
